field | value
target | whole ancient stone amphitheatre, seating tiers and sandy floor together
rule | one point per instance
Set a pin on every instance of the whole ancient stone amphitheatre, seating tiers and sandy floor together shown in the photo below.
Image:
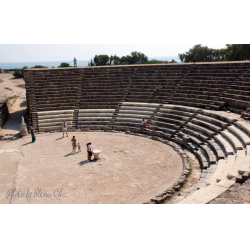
(196, 149)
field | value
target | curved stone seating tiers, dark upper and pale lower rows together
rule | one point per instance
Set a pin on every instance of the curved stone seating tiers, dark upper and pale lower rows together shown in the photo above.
(199, 106)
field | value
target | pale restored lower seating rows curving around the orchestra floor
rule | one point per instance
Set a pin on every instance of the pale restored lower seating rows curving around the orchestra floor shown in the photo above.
(220, 141)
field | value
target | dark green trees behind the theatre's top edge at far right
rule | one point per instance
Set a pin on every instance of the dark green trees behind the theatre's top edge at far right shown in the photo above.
(232, 52)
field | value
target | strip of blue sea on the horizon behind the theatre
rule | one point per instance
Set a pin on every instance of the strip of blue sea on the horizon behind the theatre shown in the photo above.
(80, 63)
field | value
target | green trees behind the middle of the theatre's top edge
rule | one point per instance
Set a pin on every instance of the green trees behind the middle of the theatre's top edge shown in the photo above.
(134, 58)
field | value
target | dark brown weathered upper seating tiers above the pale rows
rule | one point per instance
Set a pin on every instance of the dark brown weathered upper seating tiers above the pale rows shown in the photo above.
(202, 85)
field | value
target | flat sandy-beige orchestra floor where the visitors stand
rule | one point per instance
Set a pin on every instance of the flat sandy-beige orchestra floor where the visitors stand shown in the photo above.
(127, 171)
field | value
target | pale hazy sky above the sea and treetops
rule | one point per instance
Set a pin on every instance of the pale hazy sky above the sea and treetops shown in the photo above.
(58, 52)
